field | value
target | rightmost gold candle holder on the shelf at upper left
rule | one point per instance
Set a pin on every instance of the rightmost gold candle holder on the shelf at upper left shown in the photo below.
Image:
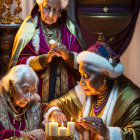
(17, 10)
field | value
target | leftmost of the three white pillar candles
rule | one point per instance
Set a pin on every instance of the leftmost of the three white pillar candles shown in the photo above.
(53, 128)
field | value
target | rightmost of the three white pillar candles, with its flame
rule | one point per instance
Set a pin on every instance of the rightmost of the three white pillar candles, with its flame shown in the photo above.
(70, 128)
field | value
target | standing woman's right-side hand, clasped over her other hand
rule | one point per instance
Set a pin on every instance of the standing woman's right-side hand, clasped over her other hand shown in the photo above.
(61, 50)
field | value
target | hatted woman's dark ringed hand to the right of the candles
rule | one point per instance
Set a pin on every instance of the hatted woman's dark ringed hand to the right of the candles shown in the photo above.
(94, 124)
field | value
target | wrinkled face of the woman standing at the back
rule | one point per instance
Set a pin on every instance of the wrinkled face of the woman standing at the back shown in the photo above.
(50, 11)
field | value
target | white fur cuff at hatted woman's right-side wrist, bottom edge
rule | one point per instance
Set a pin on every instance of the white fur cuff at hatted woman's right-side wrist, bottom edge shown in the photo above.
(115, 133)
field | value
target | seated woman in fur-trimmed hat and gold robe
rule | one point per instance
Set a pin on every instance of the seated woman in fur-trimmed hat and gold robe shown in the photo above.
(107, 102)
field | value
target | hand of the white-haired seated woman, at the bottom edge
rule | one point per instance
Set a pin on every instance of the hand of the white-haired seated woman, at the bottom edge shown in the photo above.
(37, 134)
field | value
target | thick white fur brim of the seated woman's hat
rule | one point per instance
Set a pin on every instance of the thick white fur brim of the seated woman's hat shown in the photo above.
(101, 63)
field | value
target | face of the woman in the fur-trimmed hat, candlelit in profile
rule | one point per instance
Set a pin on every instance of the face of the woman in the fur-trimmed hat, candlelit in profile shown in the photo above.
(91, 80)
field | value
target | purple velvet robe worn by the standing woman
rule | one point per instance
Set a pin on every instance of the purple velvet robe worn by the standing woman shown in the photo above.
(67, 39)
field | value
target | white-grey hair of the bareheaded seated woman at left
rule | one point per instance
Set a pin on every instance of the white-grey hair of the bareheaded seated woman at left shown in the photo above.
(15, 74)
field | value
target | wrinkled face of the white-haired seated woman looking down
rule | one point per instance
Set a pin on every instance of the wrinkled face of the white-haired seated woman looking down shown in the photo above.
(23, 90)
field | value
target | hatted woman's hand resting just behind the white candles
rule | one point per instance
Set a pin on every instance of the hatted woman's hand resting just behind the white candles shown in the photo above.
(59, 117)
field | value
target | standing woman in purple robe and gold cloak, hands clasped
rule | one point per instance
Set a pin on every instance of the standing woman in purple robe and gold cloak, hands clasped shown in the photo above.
(46, 25)
